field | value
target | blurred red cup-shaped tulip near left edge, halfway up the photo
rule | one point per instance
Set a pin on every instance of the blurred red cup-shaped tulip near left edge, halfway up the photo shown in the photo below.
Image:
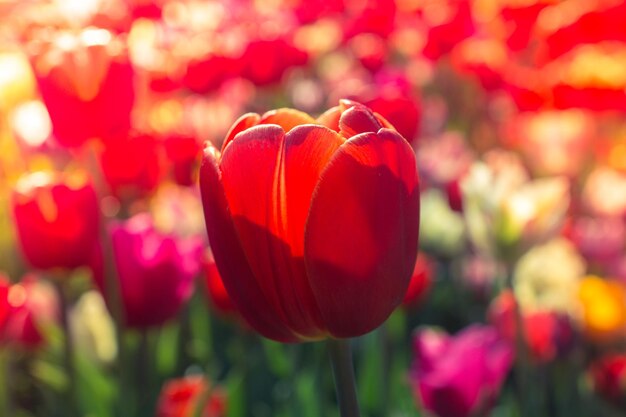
(57, 219)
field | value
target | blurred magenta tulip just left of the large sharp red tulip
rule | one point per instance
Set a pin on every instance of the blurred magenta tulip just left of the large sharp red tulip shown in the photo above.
(155, 271)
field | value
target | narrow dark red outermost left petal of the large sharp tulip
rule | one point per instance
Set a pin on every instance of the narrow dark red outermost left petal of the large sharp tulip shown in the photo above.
(230, 258)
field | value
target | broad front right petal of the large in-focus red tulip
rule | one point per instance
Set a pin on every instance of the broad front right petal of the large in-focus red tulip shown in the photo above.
(361, 233)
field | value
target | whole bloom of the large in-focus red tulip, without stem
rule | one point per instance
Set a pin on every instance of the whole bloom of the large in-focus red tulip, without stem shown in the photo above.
(313, 223)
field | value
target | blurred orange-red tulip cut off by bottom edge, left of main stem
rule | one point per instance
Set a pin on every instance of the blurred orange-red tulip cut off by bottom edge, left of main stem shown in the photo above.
(183, 397)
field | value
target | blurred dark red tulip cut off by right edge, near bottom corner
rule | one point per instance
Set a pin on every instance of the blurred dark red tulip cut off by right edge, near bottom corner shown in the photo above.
(609, 377)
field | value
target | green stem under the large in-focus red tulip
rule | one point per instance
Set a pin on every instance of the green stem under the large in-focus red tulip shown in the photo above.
(343, 371)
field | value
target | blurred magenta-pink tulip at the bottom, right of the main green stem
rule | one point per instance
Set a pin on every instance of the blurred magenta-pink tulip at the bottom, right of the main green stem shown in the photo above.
(459, 376)
